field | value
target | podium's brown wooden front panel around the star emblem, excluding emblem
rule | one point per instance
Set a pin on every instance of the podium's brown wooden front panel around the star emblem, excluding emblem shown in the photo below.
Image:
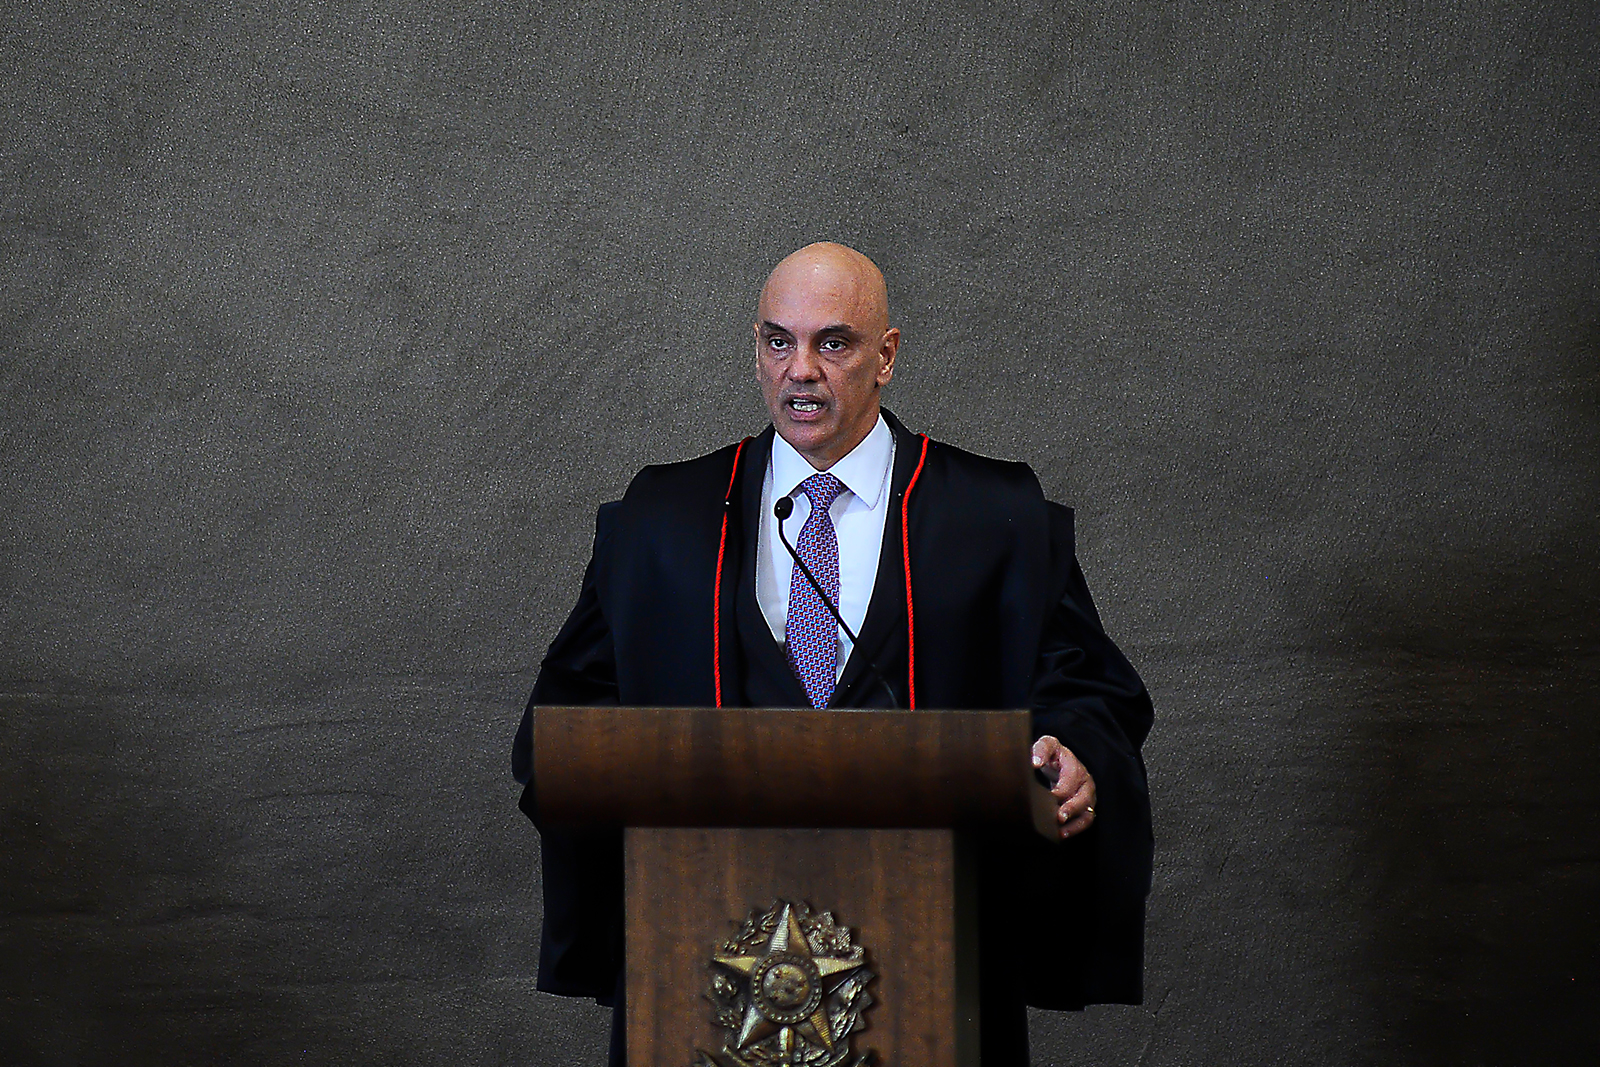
(905, 895)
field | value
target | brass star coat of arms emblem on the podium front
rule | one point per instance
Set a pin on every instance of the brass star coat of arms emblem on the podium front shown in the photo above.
(788, 991)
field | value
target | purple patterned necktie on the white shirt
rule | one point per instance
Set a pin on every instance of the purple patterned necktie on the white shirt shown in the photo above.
(810, 631)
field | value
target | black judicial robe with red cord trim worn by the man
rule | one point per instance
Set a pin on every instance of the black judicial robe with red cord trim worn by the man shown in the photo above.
(1002, 620)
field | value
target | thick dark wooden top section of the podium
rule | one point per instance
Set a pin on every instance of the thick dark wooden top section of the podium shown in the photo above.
(761, 767)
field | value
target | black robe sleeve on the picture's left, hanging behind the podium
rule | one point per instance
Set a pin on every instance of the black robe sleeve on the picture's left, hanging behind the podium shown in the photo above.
(582, 945)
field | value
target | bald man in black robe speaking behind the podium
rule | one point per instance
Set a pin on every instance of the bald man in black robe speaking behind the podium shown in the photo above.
(962, 586)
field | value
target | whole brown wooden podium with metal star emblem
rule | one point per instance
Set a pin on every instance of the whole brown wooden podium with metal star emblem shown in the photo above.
(798, 884)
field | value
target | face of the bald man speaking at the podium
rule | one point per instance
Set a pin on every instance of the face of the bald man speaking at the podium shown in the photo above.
(823, 351)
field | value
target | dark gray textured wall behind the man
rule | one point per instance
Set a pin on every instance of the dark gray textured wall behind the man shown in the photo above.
(324, 332)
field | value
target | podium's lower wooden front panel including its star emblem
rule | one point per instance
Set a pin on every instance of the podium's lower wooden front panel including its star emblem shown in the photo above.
(902, 898)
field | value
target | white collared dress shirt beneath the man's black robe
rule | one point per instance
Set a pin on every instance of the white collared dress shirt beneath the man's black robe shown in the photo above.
(858, 516)
